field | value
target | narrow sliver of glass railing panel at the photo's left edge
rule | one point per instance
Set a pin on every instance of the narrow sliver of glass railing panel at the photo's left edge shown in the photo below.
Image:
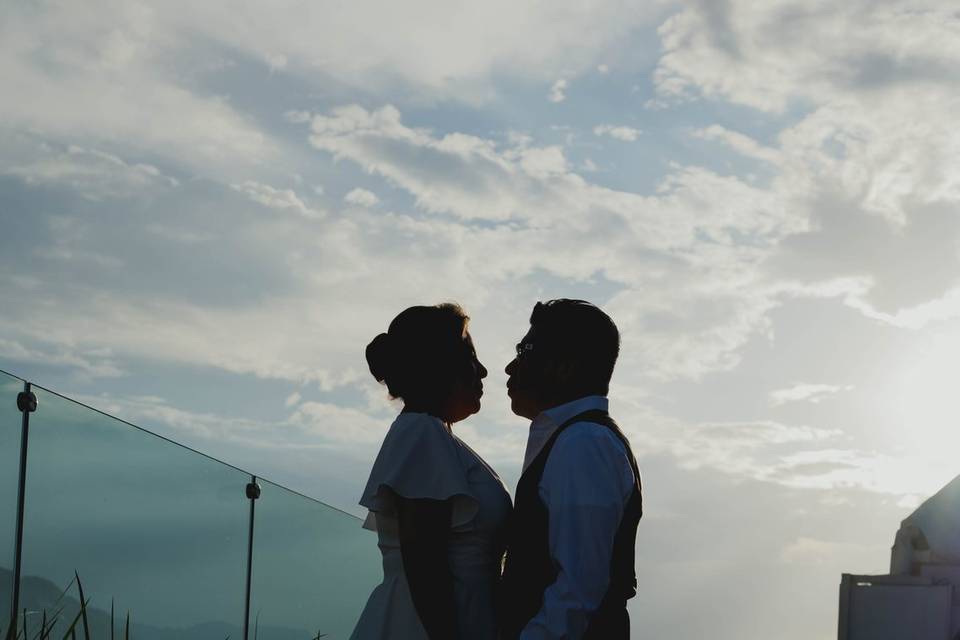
(10, 421)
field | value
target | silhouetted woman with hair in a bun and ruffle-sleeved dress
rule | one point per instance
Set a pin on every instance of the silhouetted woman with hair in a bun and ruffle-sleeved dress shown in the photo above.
(437, 507)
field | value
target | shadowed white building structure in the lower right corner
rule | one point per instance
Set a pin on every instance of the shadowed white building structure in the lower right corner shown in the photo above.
(920, 598)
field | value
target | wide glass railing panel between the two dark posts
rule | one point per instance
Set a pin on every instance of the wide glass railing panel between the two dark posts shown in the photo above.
(152, 528)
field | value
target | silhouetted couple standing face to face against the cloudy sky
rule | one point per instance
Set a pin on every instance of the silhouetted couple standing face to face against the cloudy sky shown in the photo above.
(460, 562)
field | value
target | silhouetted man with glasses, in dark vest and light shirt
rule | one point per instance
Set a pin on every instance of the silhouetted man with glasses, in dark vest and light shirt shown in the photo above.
(569, 568)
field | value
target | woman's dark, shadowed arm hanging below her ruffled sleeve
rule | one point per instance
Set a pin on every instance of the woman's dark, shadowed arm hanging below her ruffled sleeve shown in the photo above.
(424, 537)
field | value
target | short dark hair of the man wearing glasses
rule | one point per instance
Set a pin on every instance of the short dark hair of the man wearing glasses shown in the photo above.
(580, 333)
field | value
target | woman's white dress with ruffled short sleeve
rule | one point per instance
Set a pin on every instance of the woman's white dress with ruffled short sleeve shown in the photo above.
(420, 458)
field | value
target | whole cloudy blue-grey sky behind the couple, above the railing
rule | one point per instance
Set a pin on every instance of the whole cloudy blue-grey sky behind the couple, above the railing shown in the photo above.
(209, 209)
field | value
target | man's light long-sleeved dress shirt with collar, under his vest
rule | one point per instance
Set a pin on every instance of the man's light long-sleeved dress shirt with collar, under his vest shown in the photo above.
(585, 486)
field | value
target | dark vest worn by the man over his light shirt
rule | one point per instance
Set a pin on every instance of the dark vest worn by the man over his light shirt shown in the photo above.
(529, 570)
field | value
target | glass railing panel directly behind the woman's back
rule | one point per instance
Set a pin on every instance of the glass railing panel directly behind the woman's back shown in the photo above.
(313, 568)
